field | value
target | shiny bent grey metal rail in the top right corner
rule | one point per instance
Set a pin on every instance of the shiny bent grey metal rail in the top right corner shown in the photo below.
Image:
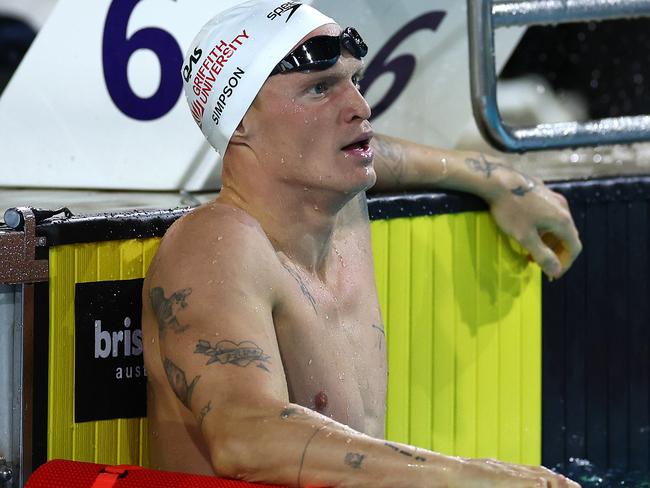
(484, 16)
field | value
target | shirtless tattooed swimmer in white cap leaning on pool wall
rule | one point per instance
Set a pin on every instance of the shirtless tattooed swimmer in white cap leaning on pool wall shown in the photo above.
(260, 309)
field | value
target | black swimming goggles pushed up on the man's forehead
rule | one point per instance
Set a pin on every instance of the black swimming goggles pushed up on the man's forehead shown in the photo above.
(322, 52)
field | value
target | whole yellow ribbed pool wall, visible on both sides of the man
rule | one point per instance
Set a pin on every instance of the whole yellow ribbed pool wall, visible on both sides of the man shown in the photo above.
(462, 311)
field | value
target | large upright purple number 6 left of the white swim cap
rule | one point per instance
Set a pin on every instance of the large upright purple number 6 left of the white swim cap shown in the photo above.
(116, 51)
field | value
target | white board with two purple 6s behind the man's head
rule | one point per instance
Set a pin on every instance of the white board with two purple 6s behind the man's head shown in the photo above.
(96, 102)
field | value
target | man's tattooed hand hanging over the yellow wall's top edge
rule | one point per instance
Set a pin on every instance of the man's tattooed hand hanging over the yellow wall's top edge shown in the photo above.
(537, 218)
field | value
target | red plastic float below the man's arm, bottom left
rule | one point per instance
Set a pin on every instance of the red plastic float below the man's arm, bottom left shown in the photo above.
(73, 474)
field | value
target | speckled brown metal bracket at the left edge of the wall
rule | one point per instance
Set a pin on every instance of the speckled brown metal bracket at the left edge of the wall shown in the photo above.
(18, 263)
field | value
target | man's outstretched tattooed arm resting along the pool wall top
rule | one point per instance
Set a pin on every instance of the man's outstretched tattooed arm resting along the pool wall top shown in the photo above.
(536, 217)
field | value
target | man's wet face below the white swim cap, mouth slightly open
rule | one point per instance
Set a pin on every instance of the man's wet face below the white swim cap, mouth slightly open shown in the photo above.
(312, 127)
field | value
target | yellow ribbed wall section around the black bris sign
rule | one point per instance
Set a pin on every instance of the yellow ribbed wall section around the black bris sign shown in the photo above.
(122, 441)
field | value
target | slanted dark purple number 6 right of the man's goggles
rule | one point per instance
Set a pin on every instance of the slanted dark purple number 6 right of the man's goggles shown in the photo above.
(402, 66)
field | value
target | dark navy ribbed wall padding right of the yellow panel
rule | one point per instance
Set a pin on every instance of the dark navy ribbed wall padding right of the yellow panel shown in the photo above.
(596, 338)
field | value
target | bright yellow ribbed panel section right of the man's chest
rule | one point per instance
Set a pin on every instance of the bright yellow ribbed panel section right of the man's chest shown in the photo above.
(463, 322)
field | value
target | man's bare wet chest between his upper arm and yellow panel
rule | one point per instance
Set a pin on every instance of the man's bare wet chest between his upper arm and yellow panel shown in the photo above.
(332, 343)
